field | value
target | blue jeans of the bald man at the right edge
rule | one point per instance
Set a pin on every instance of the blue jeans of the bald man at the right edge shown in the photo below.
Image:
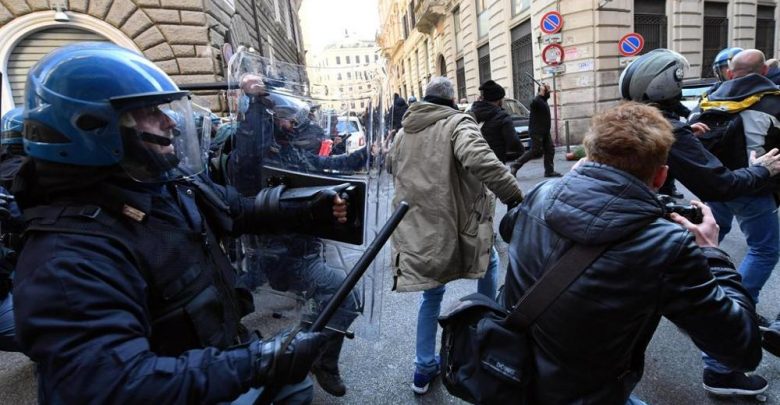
(757, 218)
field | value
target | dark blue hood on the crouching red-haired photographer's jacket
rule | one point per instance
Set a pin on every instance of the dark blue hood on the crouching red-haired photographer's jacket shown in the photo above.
(598, 204)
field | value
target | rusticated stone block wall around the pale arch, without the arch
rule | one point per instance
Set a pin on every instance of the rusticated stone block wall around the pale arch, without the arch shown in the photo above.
(184, 37)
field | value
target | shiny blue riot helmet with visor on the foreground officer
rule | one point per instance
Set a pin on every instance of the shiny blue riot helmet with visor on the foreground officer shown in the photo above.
(97, 104)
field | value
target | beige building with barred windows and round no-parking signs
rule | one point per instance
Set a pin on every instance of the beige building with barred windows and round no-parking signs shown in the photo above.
(471, 41)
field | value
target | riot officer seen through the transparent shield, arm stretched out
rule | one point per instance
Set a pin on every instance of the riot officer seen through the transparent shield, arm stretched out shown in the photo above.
(270, 134)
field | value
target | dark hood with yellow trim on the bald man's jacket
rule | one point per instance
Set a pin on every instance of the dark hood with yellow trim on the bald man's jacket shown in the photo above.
(739, 94)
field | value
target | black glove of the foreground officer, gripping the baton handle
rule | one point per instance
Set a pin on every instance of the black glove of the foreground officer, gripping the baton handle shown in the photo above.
(278, 363)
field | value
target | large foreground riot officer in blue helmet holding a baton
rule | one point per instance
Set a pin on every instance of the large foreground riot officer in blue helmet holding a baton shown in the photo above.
(122, 292)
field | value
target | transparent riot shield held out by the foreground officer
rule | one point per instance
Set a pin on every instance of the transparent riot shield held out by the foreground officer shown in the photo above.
(293, 129)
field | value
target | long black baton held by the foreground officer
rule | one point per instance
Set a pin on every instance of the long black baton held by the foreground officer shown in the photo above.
(269, 393)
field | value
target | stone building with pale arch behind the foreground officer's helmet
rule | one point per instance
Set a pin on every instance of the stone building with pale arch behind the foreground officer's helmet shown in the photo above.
(184, 38)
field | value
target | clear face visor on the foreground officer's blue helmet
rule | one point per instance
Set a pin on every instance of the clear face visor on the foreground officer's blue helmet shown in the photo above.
(161, 142)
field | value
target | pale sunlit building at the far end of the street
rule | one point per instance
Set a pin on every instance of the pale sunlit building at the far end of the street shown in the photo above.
(344, 73)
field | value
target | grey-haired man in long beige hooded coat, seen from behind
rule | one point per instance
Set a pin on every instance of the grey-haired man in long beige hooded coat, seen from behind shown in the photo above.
(445, 170)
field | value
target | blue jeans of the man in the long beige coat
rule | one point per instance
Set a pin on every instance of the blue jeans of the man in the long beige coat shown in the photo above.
(430, 307)
